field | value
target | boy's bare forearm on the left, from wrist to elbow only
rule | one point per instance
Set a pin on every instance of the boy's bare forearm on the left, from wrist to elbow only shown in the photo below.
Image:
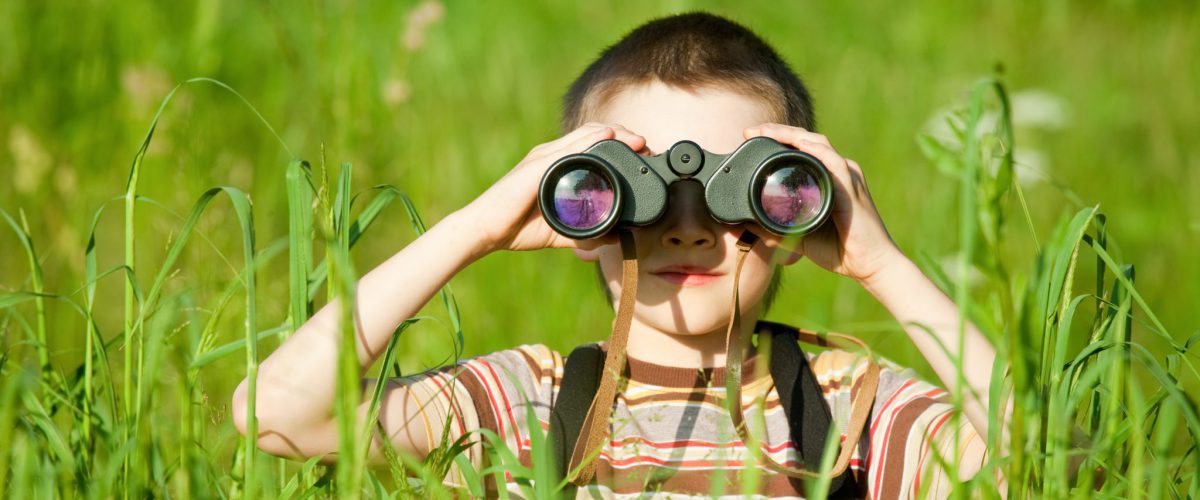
(297, 383)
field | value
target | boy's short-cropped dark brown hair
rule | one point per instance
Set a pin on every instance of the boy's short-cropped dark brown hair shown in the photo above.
(693, 51)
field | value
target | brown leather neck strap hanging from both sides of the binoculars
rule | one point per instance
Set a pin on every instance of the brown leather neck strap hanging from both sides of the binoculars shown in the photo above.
(596, 424)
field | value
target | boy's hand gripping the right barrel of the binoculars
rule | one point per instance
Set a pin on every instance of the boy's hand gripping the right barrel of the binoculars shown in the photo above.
(855, 242)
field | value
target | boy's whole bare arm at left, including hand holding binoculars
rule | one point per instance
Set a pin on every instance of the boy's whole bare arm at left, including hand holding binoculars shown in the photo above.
(297, 384)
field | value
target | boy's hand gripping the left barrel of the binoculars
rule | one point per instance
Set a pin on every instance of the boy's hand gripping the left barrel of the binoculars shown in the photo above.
(507, 216)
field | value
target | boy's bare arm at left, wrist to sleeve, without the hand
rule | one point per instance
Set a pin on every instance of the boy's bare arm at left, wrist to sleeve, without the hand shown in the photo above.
(297, 383)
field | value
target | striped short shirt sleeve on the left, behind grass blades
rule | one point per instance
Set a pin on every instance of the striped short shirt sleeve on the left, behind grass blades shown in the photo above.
(505, 393)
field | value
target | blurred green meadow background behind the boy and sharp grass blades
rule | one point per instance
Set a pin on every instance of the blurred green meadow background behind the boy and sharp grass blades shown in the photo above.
(442, 99)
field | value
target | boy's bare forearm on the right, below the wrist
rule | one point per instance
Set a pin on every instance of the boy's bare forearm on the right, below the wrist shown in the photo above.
(933, 322)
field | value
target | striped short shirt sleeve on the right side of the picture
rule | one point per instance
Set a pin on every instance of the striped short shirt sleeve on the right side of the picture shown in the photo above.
(915, 432)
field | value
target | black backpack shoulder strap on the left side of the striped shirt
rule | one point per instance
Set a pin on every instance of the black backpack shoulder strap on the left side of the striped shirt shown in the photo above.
(581, 381)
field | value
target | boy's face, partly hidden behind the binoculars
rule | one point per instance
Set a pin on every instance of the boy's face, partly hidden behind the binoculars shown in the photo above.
(687, 260)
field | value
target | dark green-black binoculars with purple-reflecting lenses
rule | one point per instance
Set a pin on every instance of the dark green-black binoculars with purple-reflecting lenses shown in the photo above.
(785, 191)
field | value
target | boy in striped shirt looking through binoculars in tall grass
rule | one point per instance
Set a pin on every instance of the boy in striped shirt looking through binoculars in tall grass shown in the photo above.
(706, 80)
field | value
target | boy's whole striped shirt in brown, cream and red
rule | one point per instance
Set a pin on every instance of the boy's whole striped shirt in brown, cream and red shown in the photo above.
(671, 436)
